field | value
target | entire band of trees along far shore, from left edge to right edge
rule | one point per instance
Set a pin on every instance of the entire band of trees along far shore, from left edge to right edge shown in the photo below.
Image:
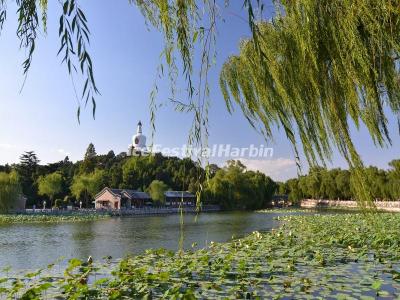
(232, 187)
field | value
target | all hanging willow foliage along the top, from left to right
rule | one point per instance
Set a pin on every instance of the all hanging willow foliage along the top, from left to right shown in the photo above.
(315, 68)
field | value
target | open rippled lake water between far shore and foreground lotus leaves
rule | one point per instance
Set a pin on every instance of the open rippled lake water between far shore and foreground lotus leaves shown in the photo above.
(31, 246)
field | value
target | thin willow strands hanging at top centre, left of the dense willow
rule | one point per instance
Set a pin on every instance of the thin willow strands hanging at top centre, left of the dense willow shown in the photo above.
(184, 26)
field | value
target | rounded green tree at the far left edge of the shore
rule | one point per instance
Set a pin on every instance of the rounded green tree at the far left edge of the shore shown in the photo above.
(10, 190)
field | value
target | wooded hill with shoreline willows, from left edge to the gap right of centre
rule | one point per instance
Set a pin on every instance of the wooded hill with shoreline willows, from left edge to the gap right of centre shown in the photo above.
(66, 183)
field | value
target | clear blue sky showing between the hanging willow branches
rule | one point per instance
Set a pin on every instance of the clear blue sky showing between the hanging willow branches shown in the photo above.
(126, 54)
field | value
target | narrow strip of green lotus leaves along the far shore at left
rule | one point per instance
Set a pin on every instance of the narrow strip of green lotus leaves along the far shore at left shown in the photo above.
(43, 218)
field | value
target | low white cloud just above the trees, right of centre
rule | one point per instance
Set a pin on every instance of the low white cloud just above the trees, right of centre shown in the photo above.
(278, 169)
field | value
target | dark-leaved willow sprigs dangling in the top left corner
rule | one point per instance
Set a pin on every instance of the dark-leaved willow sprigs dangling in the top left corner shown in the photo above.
(73, 31)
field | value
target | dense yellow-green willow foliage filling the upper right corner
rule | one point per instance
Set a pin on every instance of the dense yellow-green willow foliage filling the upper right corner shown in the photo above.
(317, 67)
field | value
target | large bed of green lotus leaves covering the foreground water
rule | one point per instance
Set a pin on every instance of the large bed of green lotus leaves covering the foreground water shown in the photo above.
(341, 256)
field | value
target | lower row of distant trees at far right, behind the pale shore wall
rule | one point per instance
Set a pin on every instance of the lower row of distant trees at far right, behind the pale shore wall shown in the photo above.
(321, 183)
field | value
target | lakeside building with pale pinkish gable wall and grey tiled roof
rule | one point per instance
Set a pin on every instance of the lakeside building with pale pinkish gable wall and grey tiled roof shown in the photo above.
(120, 198)
